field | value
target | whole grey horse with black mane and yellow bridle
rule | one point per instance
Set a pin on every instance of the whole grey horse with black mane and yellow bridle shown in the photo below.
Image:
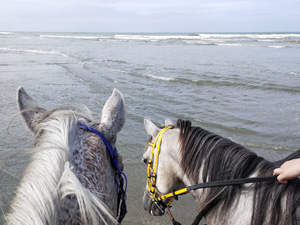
(191, 155)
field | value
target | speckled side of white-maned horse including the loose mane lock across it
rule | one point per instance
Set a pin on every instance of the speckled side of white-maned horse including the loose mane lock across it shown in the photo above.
(90, 177)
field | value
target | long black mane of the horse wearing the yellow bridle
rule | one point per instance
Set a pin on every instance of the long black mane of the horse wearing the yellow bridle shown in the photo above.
(206, 157)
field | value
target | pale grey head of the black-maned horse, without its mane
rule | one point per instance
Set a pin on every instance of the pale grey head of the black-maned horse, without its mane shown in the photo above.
(169, 174)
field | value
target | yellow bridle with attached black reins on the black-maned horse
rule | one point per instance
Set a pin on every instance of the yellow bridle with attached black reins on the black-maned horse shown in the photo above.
(157, 197)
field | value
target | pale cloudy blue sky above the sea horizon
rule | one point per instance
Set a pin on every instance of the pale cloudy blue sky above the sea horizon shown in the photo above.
(150, 15)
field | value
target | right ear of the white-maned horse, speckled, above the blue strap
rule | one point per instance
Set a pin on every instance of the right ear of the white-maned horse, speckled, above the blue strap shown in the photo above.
(113, 113)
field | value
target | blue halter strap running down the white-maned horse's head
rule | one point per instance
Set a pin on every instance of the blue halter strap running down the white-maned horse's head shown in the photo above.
(120, 176)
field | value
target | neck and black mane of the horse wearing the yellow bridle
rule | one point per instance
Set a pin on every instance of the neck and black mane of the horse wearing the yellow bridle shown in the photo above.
(221, 159)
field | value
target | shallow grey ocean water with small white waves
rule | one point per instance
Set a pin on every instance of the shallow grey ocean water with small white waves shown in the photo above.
(245, 87)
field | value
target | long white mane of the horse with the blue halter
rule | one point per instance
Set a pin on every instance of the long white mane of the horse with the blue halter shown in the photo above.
(49, 177)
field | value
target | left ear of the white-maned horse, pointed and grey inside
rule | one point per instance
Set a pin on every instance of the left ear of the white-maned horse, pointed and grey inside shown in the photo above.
(30, 111)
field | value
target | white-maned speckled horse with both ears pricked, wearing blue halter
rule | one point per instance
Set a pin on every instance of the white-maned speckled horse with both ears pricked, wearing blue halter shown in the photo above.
(70, 179)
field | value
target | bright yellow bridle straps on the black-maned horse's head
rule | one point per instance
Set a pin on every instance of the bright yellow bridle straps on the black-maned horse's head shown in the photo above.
(151, 182)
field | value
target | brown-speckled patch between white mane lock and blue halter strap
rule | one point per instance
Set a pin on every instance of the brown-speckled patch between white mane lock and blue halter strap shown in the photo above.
(92, 166)
